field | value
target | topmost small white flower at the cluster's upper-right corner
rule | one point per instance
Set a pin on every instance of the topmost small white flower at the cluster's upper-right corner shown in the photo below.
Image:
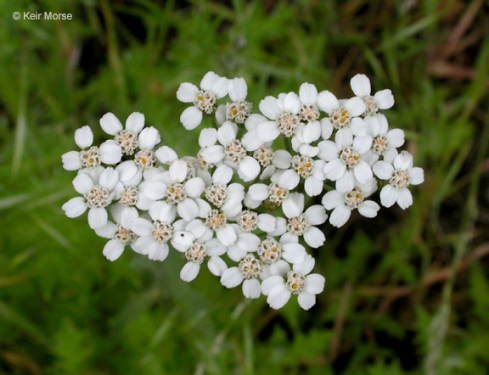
(360, 85)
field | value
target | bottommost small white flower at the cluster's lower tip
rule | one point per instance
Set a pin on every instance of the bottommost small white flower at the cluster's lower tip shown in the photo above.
(297, 281)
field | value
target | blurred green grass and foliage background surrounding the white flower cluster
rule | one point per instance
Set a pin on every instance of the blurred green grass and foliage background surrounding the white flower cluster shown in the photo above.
(406, 293)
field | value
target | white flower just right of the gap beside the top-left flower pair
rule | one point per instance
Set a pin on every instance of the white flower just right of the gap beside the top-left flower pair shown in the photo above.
(284, 113)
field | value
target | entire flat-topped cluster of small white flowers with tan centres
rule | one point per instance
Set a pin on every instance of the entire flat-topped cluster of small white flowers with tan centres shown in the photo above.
(245, 204)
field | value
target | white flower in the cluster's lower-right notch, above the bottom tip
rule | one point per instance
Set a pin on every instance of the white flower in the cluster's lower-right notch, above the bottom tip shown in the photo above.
(302, 223)
